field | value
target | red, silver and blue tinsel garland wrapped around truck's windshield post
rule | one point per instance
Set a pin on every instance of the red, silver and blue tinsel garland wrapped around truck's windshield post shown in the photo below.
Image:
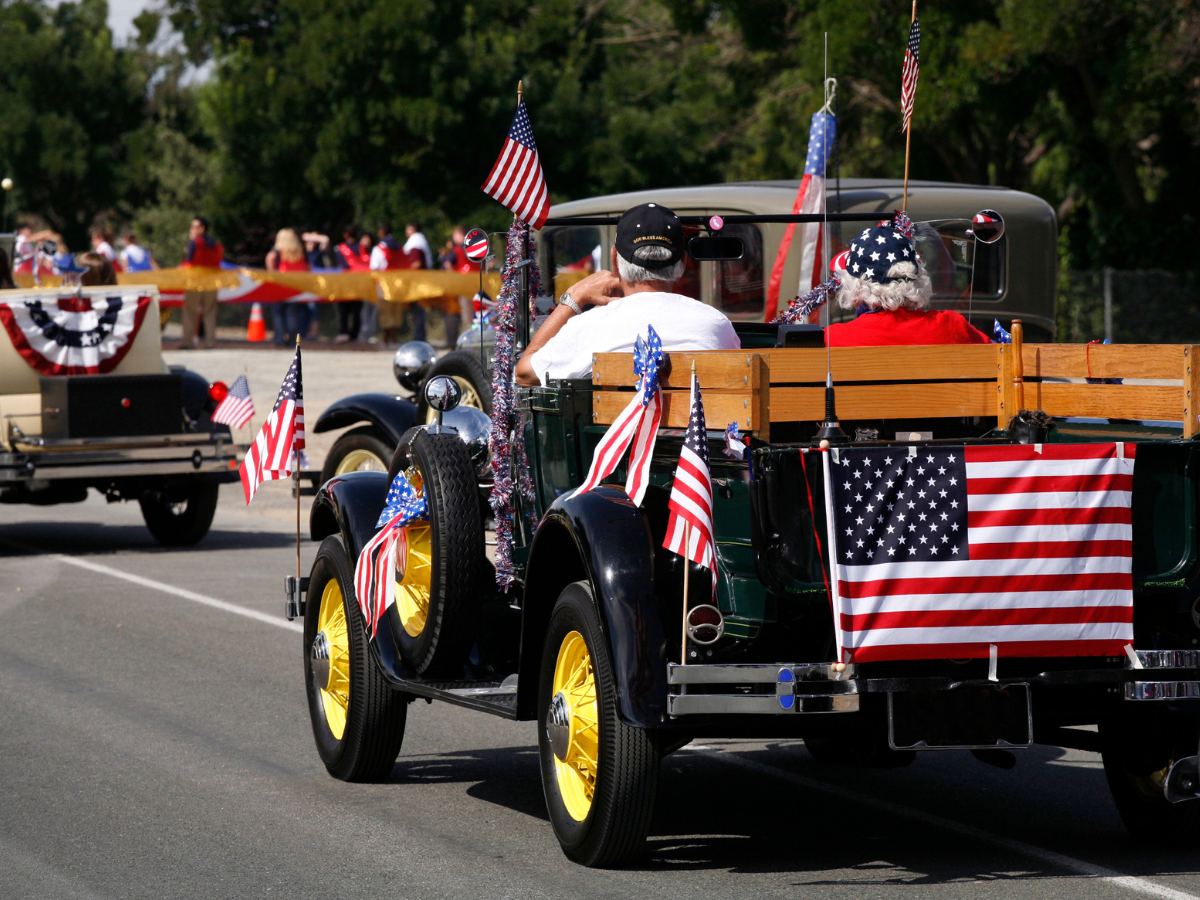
(507, 441)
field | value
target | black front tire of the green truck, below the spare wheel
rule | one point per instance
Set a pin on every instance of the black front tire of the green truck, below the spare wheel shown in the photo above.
(375, 715)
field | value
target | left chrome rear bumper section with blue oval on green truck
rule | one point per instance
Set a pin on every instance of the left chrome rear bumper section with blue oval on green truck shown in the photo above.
(770, 689)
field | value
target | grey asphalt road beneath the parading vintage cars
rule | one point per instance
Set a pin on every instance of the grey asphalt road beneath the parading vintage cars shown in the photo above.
(155, 743)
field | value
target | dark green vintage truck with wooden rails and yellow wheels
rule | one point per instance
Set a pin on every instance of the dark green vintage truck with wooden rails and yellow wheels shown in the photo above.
(589, 643)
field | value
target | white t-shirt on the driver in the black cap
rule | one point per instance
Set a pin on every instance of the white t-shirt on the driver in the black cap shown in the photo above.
(683, 325)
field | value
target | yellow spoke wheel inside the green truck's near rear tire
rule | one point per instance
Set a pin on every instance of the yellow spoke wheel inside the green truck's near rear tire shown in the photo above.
(578, 751)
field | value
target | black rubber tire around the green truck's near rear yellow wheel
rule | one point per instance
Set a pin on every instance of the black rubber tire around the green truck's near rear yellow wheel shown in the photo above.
(619, 819)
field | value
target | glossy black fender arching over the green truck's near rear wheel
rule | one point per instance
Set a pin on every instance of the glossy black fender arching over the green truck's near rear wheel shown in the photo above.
(602, 538)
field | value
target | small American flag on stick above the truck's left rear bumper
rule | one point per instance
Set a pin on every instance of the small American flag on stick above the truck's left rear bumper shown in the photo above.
(691, 506)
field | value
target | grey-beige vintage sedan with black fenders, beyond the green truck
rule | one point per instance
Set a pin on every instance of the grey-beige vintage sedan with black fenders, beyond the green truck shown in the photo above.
(575, 247)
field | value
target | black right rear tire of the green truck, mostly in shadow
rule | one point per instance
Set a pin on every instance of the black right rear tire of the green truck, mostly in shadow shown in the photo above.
(1138, 746)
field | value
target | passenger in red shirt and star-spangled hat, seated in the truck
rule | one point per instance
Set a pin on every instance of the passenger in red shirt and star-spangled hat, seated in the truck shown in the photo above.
(883, 278)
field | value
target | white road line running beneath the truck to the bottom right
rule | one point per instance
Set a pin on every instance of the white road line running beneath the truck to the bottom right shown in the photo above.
(1130, 883)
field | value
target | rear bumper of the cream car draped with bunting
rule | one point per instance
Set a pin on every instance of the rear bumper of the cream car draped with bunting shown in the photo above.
(100, 459)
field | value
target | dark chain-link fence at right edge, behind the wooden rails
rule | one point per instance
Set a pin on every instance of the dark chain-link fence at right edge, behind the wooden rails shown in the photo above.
(1130, 307)
